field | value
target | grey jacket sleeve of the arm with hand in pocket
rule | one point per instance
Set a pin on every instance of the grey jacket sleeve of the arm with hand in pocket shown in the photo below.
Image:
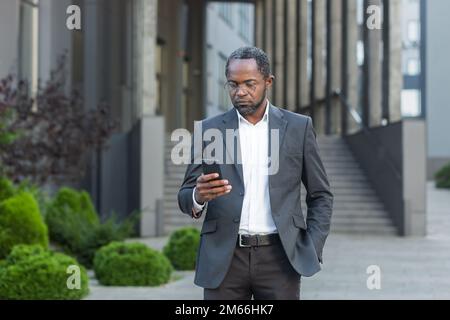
(319, 199)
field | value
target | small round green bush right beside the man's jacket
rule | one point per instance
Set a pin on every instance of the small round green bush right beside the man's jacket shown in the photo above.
(182, 247)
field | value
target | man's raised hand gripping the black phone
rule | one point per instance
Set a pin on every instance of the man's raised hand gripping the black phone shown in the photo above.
(209, 187)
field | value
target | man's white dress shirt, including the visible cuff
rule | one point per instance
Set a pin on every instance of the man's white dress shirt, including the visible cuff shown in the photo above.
(256, 216)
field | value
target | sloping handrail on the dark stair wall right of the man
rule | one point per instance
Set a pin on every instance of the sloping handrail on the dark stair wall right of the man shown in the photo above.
(373, 138)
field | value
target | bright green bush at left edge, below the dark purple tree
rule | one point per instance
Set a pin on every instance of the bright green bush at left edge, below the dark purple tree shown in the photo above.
(21, 223)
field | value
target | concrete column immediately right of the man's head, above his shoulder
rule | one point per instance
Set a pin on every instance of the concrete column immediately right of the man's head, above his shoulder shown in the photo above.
(278, 63)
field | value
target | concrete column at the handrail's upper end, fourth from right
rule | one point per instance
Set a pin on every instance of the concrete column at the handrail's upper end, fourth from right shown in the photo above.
(334, 60)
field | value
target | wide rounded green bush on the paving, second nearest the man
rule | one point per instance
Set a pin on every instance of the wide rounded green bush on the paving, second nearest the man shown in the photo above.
(131, 264)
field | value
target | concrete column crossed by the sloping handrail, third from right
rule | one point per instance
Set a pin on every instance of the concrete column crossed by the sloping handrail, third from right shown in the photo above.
(349, 63)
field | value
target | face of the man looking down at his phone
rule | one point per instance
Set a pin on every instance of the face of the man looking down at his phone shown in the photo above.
(246, 85)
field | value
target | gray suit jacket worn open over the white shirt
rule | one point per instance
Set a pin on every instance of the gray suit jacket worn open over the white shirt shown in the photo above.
(299, 162)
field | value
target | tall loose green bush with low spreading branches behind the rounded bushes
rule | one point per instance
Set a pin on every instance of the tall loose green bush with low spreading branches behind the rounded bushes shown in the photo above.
(74, 224)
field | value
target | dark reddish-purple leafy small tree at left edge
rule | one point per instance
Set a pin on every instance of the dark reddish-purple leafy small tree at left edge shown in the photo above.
(47, 137)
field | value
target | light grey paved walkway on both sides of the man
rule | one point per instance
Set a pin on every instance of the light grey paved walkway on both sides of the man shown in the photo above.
(411, 268)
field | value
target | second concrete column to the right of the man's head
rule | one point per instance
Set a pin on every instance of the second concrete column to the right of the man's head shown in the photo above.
(292, 58)
